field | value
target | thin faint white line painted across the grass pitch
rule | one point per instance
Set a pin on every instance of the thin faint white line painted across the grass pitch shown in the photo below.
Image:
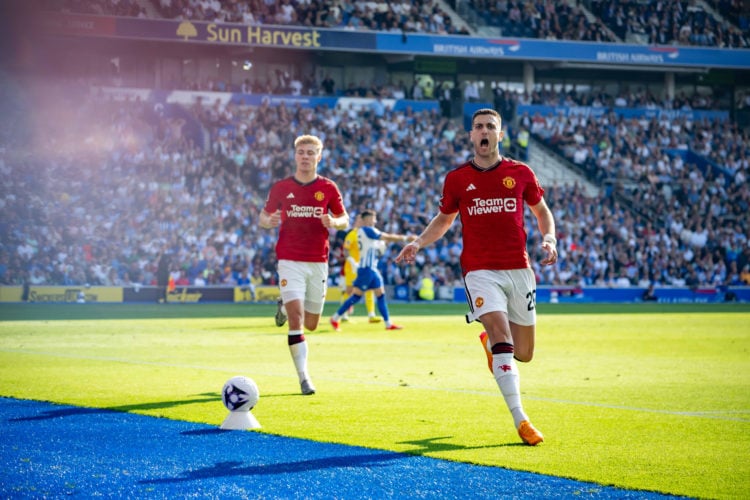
(713, 414)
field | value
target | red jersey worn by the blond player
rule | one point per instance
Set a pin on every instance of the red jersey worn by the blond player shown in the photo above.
(302, 236)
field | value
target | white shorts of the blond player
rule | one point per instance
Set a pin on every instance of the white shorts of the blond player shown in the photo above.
(305, 281)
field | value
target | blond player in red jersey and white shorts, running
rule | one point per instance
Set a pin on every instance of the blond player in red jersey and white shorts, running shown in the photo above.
(304, 207)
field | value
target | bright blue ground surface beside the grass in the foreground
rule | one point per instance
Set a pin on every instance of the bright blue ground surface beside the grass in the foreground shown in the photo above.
(54, 451)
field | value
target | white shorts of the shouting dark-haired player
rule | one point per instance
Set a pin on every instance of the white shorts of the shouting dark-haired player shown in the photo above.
(512, 291)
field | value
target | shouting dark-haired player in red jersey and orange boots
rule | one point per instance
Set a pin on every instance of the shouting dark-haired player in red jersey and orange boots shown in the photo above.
(489, 192)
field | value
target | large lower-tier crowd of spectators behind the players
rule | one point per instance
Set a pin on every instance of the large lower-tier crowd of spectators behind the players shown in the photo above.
(112, 184)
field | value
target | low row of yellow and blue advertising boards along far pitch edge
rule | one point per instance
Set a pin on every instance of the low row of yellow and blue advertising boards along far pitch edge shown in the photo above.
(266, 294)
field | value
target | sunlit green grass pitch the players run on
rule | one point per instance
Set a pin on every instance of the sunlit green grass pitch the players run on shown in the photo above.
(649, 397)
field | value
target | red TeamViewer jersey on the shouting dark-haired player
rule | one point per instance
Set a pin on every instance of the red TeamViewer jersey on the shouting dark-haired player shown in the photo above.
(491, 205)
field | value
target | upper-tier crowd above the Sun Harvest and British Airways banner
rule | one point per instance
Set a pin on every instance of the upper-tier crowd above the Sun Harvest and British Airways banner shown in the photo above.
(673, 22)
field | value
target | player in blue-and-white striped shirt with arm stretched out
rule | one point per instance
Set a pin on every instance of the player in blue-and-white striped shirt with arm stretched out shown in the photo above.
(371, 247)
